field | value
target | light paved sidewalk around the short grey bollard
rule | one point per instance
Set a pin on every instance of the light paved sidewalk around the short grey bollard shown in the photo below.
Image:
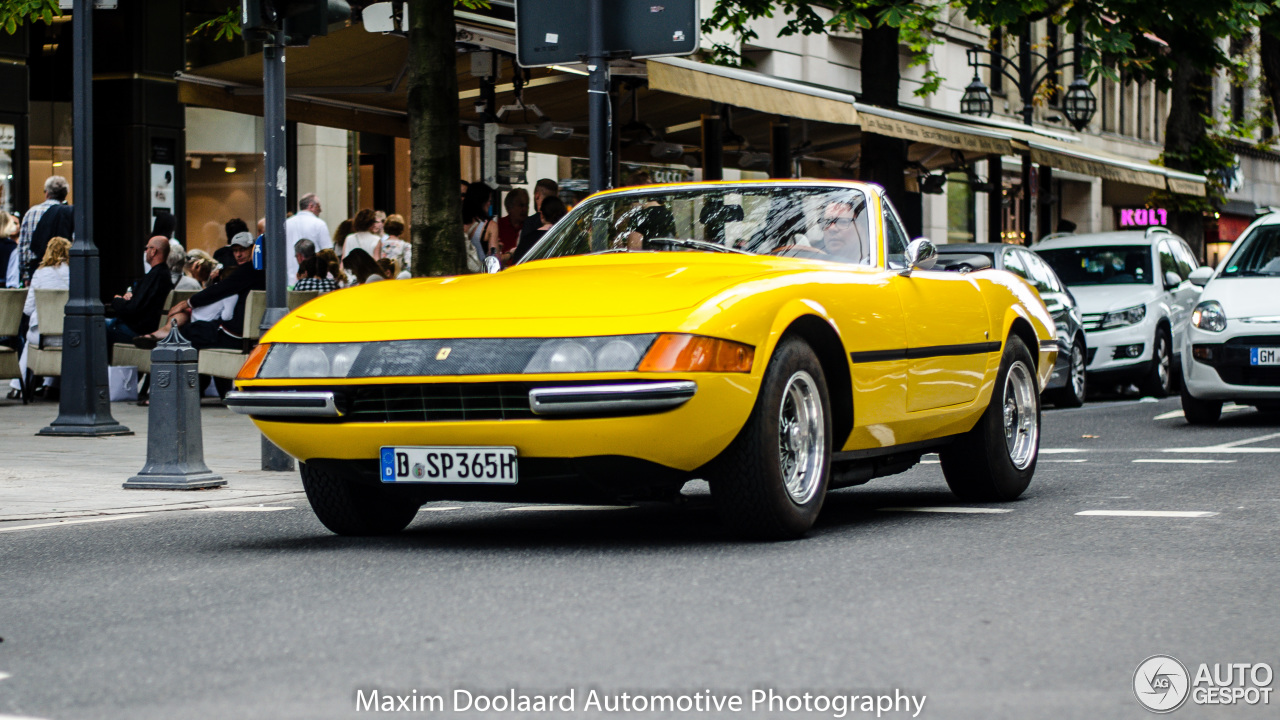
(47, 477)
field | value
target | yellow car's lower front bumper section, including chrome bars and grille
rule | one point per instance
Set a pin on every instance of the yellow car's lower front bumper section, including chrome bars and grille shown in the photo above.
(678, 423)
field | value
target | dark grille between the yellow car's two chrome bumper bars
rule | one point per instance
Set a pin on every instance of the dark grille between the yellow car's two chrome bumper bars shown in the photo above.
(440, 403)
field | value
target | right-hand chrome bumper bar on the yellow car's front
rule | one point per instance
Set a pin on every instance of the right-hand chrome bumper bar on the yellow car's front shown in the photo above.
(610, 399)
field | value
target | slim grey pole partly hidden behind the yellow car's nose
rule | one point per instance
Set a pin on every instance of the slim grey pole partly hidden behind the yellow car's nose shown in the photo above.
(277, 192)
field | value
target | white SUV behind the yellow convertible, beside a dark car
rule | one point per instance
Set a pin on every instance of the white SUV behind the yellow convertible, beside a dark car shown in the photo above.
(1136, 297)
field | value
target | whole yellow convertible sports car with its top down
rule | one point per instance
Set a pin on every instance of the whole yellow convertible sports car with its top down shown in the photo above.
(778, 339)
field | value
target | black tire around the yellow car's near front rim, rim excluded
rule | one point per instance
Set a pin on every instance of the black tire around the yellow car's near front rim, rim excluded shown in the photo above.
(748, 480)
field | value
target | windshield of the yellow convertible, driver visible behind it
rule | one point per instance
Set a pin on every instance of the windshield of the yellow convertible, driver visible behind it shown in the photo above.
(793, 221)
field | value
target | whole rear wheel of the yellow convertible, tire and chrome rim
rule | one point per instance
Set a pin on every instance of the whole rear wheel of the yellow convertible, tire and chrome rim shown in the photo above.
(995, 461)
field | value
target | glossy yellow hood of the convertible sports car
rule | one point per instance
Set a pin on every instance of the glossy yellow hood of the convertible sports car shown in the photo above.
(592, 286)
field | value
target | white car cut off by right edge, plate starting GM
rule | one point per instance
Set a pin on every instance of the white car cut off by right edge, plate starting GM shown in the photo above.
(1233, 345)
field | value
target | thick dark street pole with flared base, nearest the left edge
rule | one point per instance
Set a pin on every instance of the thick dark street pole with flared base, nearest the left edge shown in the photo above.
(85, 405)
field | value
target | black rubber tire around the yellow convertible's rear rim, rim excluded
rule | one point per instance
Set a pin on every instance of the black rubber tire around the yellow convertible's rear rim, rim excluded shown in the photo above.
(979, 466)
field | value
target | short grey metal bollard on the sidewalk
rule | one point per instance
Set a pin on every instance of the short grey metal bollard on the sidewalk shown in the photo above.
(176, 448)
